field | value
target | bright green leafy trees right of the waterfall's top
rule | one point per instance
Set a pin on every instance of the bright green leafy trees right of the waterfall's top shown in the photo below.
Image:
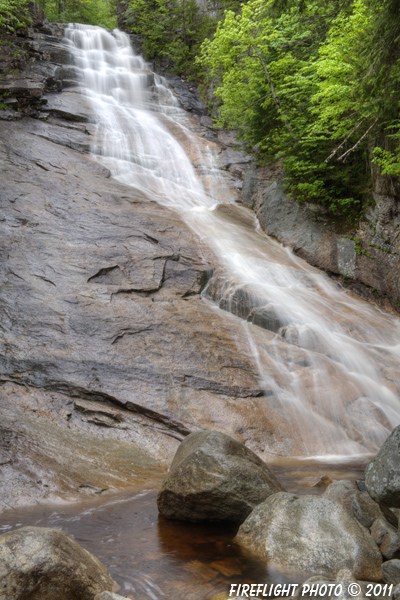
(312, 81)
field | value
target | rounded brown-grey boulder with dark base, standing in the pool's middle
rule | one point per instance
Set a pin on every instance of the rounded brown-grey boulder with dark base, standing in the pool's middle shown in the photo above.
(213, 478)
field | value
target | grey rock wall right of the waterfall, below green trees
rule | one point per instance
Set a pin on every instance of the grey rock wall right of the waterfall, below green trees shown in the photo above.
(367, 254)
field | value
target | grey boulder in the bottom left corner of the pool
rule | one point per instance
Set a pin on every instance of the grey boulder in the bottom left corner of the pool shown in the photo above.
(40, 563)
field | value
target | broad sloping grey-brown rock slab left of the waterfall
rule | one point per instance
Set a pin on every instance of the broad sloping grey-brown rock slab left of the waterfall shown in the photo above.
(100, 303)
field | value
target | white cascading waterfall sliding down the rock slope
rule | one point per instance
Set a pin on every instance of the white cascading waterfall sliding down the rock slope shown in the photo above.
(328, 362)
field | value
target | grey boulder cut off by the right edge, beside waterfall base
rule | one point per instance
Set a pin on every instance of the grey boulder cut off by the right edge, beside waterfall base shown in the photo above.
(382, 475)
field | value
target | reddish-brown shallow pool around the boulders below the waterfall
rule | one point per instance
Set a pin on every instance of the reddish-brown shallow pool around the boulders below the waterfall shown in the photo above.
(153, 558)
